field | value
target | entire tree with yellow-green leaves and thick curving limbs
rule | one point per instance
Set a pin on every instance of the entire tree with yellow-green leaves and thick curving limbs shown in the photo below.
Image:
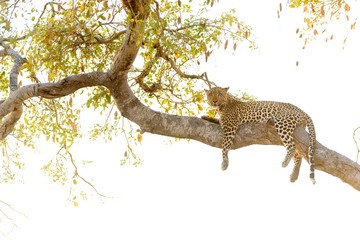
(94, 48)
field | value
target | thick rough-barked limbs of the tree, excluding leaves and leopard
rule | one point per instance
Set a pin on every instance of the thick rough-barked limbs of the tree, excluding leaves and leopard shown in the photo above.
(156, 122)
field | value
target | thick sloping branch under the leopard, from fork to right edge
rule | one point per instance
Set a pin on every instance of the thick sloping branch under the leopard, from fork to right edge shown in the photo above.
(210, 133)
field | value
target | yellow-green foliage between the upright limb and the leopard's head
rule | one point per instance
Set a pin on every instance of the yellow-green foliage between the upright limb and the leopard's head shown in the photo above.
(178, 40)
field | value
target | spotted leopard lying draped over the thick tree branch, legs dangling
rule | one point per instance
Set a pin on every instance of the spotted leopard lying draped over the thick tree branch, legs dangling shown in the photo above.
(285, 117)
